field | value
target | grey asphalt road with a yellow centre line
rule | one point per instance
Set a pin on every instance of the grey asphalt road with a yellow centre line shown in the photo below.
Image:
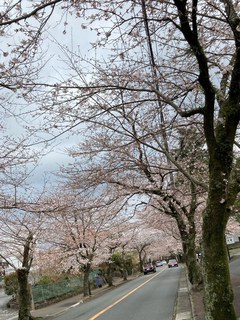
(148, 297)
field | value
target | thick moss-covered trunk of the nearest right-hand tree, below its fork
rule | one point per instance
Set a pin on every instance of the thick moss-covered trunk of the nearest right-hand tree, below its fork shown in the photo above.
(218, 293)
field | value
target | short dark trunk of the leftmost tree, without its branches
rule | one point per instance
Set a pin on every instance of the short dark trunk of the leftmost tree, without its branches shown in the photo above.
(24, 295)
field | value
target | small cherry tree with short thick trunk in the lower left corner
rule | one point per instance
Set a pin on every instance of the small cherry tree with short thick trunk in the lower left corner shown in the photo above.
(23, 227)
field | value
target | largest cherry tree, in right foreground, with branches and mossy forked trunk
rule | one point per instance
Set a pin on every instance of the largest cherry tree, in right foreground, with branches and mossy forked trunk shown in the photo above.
(192, 75)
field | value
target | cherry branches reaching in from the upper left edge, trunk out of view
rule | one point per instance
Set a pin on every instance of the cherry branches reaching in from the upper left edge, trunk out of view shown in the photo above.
(21, 60)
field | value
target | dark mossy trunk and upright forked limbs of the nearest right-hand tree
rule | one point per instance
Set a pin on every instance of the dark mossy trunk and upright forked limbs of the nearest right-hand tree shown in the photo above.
(220, 137)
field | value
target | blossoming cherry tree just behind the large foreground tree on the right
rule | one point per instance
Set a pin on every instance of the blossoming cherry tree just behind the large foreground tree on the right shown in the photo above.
(126, 118)
